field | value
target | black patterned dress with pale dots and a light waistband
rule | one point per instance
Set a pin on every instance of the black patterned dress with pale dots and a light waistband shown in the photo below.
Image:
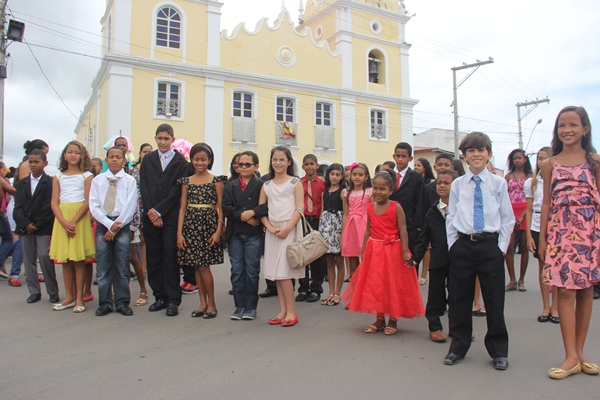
(199, 224)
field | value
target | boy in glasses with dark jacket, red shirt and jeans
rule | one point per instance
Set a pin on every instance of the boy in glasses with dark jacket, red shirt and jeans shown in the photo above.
(244, 235)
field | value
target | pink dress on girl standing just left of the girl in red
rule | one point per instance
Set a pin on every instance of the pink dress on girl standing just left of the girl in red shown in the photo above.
(356, 223)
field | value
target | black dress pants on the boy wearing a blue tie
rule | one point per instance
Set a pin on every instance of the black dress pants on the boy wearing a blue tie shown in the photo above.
(470, 259)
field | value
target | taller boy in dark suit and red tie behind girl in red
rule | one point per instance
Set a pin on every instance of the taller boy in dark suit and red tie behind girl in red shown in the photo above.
(409, 189)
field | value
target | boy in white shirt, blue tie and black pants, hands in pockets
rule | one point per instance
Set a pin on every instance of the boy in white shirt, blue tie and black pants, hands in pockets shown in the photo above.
(477, 243)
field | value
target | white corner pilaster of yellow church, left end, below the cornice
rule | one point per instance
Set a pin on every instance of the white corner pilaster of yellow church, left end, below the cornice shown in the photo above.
(120, 95)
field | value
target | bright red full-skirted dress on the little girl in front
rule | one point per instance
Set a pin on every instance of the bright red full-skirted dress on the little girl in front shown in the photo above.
(383, 284)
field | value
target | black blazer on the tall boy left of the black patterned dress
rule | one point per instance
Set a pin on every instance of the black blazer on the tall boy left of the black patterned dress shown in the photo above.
(160, 189)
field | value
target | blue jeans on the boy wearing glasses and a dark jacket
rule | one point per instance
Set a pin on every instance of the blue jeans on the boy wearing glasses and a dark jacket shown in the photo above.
(244, 254)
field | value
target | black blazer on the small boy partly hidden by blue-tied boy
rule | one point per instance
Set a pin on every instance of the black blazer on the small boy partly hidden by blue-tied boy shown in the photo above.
(433, 232)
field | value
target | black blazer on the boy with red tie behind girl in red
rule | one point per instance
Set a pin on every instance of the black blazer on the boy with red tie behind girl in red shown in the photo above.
(409, 196)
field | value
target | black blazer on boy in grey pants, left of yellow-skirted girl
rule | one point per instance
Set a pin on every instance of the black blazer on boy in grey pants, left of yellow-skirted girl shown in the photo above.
(34, 208)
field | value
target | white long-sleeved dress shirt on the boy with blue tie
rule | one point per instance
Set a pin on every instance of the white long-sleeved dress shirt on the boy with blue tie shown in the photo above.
(497, 210)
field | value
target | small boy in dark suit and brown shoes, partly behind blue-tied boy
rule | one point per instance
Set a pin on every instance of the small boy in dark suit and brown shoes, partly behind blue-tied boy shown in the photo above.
(434, 232)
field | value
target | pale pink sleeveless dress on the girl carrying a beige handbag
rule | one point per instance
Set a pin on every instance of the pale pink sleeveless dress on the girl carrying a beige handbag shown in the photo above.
(282, 204)
